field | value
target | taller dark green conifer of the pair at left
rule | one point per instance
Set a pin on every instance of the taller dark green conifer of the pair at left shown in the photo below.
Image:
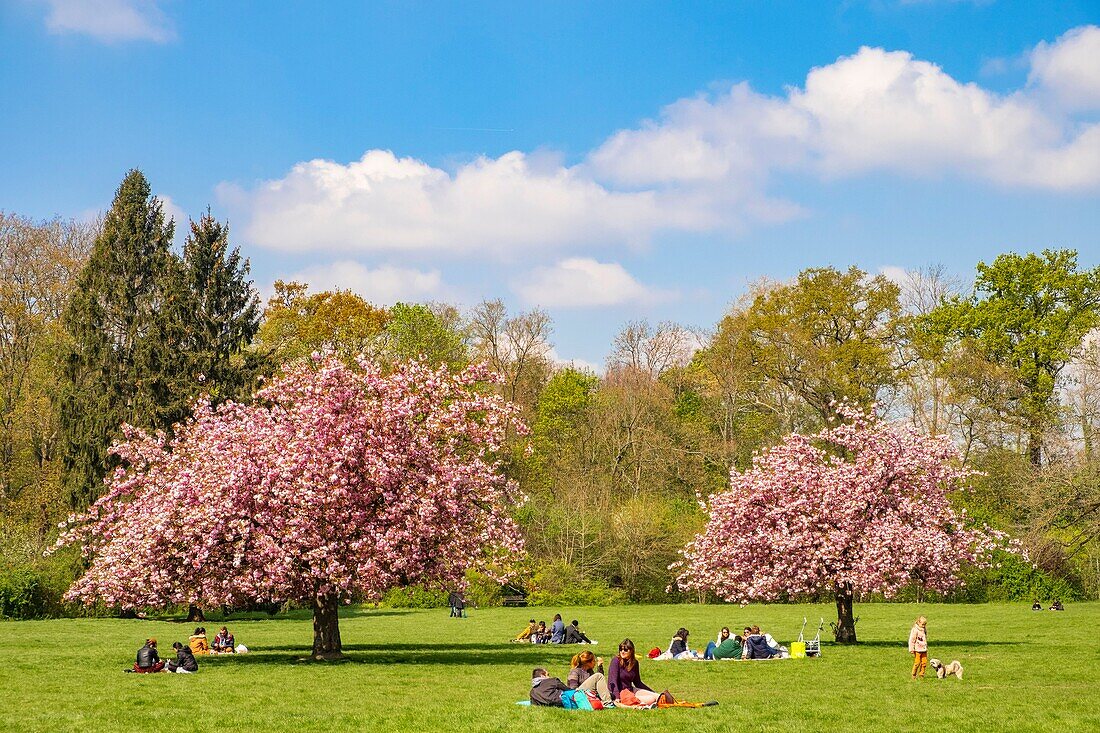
(125, 357)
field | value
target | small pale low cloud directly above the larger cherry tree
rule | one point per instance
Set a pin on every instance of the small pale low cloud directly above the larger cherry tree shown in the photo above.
(384, 286)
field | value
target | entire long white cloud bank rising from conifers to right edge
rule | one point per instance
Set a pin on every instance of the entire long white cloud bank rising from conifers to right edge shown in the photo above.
(706, 165)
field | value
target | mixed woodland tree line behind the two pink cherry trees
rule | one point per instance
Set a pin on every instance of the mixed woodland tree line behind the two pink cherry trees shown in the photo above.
(106, 323)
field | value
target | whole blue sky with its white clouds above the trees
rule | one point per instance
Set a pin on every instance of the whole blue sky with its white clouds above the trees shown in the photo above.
(604, 161)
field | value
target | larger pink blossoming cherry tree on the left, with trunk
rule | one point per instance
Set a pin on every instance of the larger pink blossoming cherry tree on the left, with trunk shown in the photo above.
(334, 484)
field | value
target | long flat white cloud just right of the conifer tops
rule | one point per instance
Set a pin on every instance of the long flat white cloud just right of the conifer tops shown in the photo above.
(383, 203)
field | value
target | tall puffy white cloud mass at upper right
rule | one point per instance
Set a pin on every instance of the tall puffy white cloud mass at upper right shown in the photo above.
(875, 111)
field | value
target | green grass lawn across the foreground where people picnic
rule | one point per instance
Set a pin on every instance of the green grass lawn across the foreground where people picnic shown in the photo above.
(420, 671)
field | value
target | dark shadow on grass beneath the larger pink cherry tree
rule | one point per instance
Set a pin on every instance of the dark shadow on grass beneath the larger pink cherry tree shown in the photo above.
(402, 654)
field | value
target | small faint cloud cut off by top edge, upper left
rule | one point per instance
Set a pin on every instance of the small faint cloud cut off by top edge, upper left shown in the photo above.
(111, 21)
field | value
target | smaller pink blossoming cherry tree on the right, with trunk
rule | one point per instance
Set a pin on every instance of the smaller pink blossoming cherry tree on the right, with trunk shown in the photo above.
(856, 509)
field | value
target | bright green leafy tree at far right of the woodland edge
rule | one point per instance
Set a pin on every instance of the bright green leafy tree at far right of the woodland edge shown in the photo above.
(1029, 314)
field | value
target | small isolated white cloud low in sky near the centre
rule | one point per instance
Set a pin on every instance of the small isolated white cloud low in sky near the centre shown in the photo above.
(582, 283)
